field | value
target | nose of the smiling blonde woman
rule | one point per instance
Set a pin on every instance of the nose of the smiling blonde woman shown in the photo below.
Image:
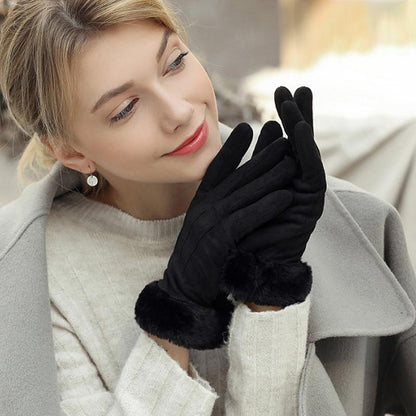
(174, 111)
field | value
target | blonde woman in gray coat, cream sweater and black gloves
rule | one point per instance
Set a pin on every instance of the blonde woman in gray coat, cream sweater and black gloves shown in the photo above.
(109, 91)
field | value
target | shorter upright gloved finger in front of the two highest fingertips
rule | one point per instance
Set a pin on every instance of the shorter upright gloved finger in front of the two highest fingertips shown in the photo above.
(313, 173)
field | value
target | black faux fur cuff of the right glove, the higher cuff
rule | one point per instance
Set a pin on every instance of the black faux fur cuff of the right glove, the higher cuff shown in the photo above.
(251, 279)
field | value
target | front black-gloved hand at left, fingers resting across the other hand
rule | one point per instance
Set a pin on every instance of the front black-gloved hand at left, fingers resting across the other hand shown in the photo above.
(186, 306)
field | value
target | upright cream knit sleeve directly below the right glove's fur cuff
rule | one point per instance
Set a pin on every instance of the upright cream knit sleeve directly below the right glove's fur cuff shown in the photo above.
(267, 353)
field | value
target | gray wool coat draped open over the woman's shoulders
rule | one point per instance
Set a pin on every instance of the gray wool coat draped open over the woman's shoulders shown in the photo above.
(361, 352)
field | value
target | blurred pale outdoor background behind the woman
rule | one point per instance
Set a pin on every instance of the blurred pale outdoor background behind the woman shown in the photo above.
(357, 56)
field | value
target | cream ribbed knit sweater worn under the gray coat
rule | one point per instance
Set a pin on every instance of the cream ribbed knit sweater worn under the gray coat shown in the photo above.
(99, 259)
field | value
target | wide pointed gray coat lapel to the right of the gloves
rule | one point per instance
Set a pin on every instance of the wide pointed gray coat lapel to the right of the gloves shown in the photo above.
(354, 293)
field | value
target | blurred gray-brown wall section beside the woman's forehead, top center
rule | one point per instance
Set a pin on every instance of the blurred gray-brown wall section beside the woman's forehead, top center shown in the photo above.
(233, 38)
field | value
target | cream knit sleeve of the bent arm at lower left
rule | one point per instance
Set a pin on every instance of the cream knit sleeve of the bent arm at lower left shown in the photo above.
(150, 383)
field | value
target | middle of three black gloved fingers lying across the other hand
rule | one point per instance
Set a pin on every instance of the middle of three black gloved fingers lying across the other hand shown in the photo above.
(276, 178)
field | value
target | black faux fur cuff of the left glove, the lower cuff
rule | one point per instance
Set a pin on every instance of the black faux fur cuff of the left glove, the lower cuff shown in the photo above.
(184, 323)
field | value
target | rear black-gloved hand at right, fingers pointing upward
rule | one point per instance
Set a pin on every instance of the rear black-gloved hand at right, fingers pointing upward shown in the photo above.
(266, 267)
